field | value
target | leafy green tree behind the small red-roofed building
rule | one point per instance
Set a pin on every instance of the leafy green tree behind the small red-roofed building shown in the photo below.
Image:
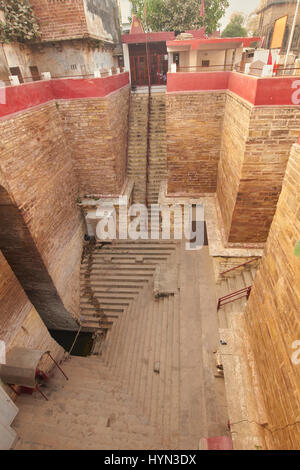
(179, 15)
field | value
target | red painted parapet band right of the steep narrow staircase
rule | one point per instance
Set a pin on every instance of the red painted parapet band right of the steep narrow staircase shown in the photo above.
(258, 91)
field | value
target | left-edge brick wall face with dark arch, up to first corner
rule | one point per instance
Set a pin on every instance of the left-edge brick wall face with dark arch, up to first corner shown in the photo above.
(37, 172)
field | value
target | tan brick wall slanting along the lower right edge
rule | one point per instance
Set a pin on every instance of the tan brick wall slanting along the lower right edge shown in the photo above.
(272, 316)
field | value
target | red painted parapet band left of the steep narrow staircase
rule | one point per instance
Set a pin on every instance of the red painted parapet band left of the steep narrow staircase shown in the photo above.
(21, 97)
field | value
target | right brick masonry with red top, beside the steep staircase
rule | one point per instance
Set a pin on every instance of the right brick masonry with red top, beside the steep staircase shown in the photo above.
(218, 141)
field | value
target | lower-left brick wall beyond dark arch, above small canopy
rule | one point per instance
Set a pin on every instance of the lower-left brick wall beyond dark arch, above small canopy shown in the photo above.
(20, 324)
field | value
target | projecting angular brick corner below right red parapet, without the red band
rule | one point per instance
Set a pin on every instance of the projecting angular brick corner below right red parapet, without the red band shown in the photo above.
(255, 147)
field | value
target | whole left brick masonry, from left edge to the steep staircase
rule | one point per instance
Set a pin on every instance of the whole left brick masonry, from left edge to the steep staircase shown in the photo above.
(48, 154)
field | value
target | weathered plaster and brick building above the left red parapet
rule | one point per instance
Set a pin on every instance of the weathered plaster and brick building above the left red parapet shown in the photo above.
(76, 39)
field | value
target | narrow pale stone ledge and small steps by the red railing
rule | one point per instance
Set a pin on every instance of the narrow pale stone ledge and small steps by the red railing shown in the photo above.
(245, 404)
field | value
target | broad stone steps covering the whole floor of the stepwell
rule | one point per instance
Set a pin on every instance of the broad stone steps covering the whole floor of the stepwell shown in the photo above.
(152, 384)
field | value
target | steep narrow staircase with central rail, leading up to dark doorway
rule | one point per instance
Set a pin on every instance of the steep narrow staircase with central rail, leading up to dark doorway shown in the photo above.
(137, 153)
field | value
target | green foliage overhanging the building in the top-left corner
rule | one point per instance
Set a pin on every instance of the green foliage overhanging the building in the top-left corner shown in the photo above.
(20, 23)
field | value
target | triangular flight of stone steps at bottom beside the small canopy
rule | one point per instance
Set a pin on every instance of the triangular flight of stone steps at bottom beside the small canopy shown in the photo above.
(87, 412)
